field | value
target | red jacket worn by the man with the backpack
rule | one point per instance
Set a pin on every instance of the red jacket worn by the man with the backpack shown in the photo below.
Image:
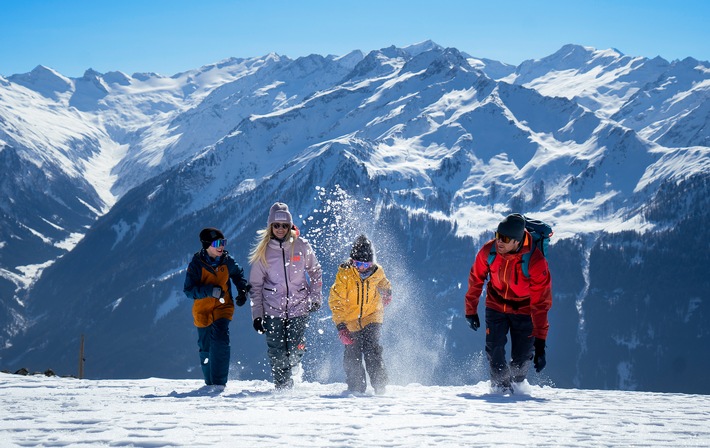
(509, 291)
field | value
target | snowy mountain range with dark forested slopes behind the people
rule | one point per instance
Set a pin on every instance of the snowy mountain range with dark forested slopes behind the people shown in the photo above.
(111, 177)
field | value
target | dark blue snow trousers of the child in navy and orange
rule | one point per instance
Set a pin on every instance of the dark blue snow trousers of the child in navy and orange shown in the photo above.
(215, 351)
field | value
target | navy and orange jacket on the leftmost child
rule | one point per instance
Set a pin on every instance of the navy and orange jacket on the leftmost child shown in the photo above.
(202, 276)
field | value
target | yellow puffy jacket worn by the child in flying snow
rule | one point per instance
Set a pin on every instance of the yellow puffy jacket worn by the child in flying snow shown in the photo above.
(357, 302)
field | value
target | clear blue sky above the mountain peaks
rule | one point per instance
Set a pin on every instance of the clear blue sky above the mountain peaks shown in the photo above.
(171, 36)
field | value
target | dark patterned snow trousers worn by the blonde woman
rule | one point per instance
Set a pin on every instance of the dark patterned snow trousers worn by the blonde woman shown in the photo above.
(286, 344)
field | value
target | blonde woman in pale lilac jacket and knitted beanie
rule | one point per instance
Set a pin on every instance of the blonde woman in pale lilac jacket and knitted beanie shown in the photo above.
(286, 281)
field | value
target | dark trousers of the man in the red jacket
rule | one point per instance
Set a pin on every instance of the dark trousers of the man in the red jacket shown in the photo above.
(498, 325)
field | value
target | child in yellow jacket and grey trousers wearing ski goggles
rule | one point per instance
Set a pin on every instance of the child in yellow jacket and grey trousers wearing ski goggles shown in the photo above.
(357, 300)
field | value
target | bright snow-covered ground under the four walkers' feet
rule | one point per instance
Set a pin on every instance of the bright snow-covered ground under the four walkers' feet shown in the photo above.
(51, 411)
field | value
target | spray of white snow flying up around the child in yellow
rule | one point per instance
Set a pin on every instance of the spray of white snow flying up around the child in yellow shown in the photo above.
(411, 353)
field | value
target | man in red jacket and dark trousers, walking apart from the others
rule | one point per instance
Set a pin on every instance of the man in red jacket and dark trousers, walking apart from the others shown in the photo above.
(515, 303)
